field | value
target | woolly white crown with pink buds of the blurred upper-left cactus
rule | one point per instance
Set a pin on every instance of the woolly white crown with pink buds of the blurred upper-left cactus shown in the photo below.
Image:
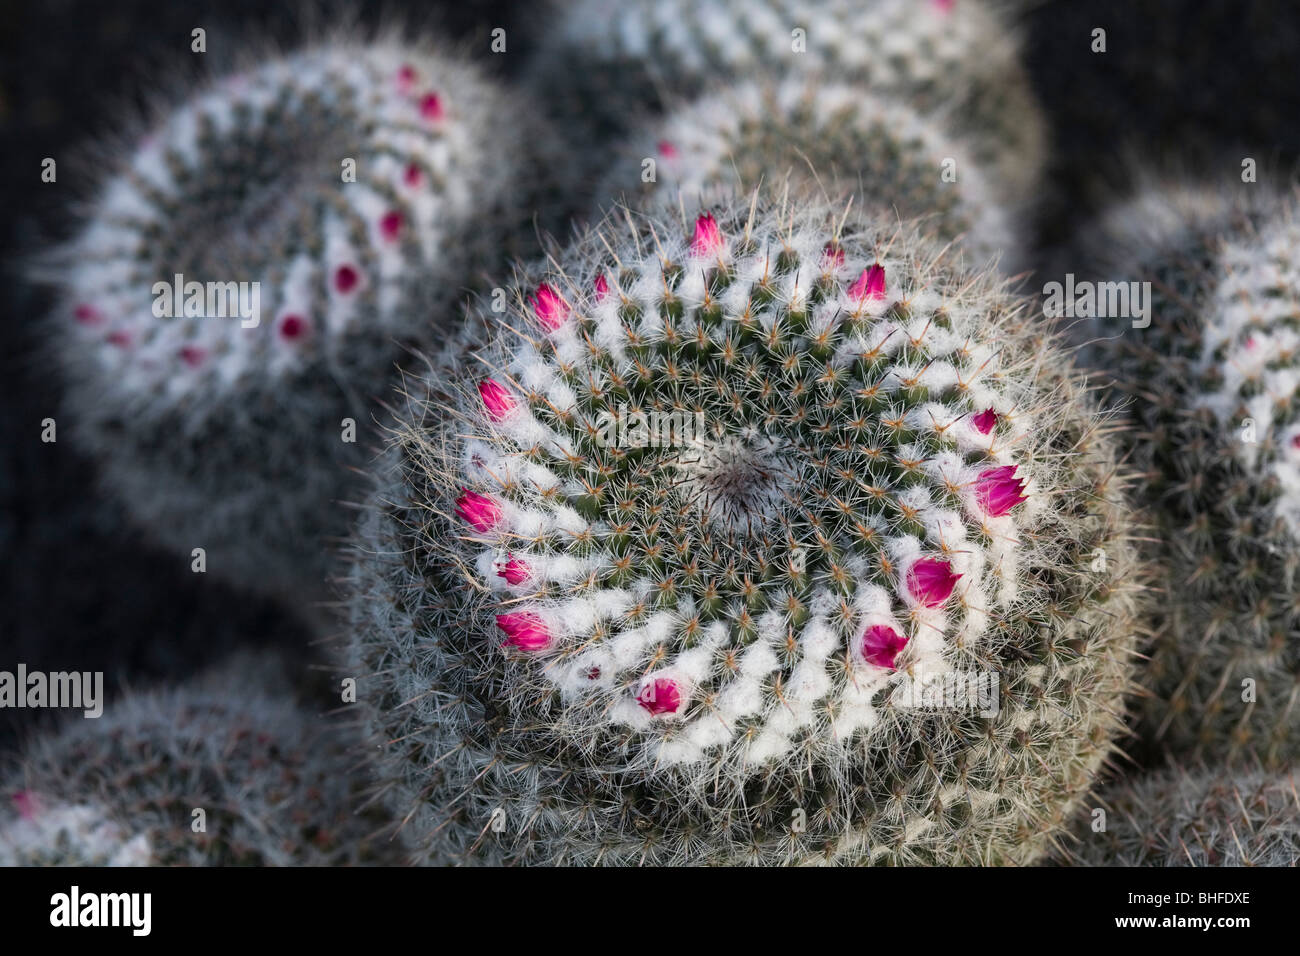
(332, 179)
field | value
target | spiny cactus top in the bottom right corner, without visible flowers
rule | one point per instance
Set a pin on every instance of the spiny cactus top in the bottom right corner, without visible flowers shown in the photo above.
(1210, 817)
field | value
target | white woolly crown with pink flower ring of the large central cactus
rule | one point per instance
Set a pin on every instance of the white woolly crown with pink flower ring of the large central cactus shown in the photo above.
(813, 466)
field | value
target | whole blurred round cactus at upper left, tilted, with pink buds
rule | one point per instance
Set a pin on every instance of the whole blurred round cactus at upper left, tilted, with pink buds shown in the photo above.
(357, 189)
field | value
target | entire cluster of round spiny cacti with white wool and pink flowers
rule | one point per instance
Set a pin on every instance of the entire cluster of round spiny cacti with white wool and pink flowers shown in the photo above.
(760, 524)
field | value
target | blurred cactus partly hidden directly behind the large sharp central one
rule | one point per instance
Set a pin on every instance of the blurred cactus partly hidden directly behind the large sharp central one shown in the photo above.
(844, 140)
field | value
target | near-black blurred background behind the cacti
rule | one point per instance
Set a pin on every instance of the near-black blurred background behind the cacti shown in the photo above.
(1199, 84)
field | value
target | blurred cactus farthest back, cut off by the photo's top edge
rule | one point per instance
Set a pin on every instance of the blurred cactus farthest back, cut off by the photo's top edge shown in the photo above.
(604, 64)
